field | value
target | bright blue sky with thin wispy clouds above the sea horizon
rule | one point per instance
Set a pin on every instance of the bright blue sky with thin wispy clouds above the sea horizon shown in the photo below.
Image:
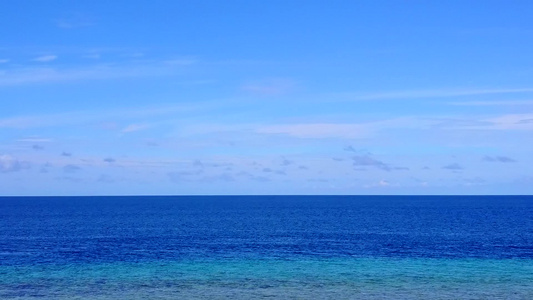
(266, 97)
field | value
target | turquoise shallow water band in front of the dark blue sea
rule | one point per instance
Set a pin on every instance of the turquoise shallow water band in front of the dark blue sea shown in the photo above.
(348, 278)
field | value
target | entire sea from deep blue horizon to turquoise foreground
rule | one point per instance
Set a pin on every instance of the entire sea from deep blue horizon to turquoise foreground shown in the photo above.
(276, 247)
